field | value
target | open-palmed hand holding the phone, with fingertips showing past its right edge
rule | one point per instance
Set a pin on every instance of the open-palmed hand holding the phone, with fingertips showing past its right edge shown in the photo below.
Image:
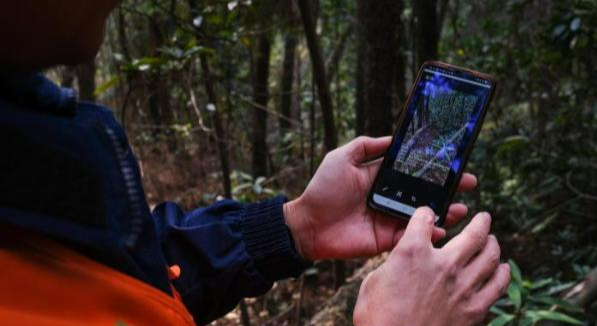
(331, 218)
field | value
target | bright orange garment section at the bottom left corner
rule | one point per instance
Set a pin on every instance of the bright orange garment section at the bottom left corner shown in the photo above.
(43, 283)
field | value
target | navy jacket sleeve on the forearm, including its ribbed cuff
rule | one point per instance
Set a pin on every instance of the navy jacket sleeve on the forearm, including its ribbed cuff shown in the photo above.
(226, 252)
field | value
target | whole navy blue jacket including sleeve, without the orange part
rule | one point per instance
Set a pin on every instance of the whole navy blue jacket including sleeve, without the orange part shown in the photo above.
(67, 171)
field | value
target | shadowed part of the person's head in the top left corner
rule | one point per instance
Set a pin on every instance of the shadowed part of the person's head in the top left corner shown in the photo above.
(37, 34)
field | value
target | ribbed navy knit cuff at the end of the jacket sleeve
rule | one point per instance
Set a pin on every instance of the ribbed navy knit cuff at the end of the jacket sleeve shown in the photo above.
(269, 241)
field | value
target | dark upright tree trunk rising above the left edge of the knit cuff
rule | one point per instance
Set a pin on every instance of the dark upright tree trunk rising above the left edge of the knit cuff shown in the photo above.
(260, 97)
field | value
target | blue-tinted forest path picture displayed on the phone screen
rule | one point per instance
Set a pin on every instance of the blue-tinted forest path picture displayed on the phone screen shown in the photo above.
(435, 132)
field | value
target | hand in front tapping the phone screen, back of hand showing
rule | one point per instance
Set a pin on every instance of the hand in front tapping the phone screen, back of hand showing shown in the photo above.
(420, 285)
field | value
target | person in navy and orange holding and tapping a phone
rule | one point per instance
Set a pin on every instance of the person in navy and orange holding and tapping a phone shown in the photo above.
(79, 244)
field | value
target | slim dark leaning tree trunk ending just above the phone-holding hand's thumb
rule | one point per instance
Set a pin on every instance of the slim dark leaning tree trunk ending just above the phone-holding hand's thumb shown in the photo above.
(319, 73)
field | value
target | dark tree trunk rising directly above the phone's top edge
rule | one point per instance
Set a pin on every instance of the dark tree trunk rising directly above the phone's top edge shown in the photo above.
(427, 30)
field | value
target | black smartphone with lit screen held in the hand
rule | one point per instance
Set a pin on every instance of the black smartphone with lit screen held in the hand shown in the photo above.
(436, 133)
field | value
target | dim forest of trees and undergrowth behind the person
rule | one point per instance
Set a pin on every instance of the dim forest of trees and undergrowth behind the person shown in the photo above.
(243, 99)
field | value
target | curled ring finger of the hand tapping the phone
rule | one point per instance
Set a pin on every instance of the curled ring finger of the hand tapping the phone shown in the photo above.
(484, 265)
